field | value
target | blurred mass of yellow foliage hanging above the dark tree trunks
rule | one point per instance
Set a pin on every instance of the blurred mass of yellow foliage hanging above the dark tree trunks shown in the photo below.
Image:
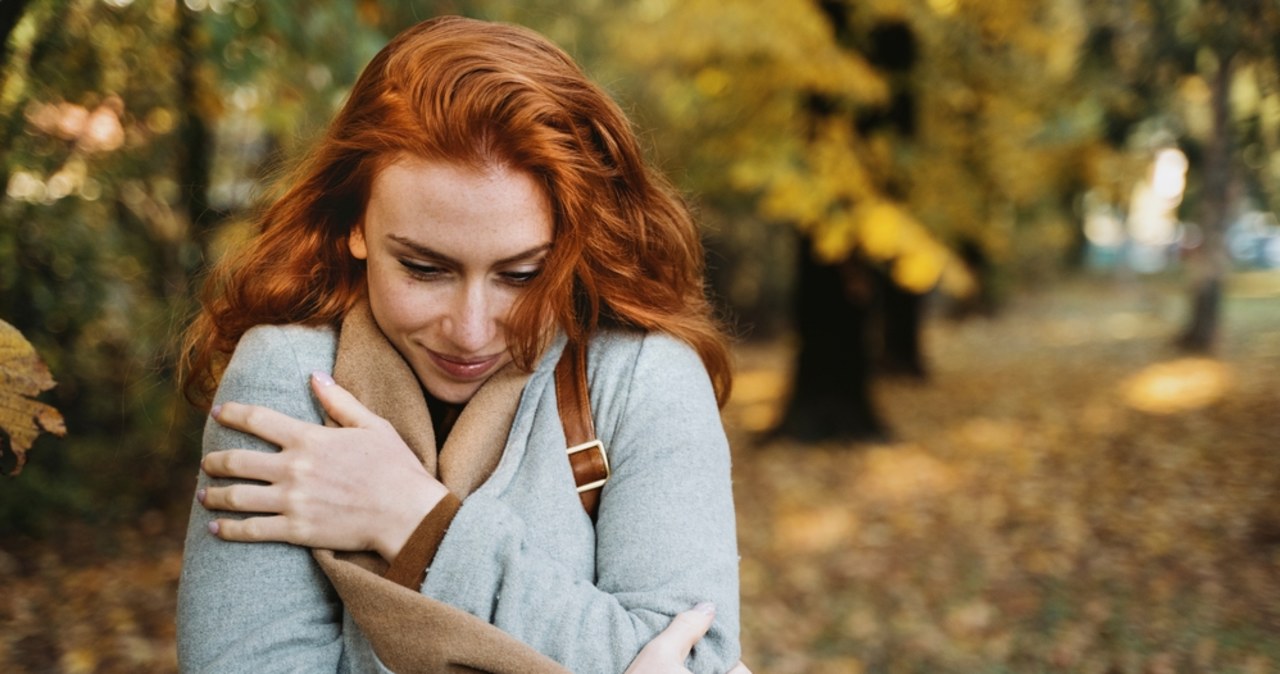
(733, 80)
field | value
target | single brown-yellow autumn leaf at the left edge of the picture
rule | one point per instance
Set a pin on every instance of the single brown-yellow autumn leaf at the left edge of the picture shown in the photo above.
(24, 377)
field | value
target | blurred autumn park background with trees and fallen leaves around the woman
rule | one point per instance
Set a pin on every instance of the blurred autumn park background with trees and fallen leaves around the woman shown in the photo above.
(1004, 274)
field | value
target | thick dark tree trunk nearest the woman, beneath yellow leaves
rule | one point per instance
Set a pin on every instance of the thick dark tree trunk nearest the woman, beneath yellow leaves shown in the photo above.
(831, 387)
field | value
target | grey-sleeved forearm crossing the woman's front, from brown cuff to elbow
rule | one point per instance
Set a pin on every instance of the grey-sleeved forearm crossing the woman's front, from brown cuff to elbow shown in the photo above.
(490, 568)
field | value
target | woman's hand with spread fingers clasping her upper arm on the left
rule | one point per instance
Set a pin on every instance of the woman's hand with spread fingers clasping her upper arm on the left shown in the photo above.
(355, 488)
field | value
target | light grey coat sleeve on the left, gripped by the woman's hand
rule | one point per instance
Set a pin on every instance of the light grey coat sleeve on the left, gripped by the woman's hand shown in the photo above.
(258, 608)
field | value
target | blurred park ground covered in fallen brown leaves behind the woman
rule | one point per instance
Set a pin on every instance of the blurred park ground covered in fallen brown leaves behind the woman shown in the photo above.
(1067, 494)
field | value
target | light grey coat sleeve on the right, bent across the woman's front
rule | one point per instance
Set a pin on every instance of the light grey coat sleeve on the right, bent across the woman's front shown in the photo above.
(665, 538)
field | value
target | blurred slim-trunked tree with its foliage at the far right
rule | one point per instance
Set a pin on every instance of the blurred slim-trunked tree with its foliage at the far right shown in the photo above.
(1204, 74)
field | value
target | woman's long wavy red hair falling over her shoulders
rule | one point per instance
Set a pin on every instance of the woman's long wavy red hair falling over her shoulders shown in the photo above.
(627, 251)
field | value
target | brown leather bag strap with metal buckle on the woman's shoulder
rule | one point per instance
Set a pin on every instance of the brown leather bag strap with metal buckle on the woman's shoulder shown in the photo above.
(587, 456)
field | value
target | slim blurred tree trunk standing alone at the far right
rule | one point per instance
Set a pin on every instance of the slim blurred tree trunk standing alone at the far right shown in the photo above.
(1209, 263)
